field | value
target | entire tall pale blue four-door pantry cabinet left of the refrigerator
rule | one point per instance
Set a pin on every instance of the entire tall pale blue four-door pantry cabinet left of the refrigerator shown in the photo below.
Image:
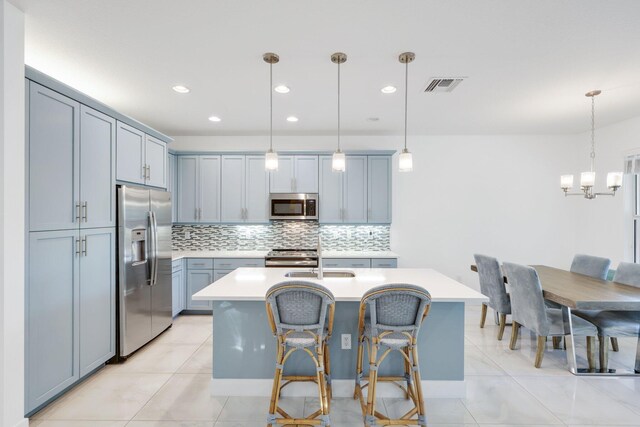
(70, 296)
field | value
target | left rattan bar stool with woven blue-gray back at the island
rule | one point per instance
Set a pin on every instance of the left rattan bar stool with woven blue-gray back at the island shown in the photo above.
(301, 318)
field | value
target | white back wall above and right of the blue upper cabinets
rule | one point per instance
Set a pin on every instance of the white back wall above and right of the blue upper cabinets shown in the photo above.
(498, 195)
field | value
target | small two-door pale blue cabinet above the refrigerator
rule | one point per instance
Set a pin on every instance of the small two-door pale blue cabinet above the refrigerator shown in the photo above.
(142, 159)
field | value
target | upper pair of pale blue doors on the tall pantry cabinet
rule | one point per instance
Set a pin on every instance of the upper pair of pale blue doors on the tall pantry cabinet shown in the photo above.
(71, 167)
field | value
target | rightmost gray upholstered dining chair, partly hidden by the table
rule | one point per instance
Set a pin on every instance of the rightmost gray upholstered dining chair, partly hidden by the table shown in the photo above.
(616, 323)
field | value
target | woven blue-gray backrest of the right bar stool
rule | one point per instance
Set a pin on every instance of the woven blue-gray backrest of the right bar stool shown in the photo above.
(396, 307)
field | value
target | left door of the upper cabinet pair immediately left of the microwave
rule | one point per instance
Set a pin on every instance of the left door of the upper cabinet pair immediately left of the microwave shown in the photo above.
(232, 189)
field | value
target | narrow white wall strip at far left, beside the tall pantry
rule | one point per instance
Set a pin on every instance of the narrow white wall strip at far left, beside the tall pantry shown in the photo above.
(12, 191)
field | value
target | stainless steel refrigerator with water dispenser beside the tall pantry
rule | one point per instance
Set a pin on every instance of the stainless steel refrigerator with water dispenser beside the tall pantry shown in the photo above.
(144, 276)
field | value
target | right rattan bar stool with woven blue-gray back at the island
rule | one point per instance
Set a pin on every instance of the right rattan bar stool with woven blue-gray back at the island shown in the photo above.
(389, 319)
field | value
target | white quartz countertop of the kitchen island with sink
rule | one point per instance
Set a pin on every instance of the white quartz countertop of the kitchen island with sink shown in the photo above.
(251, 284)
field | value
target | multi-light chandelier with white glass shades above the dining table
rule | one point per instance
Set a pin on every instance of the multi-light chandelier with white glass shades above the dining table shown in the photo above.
(588, 179)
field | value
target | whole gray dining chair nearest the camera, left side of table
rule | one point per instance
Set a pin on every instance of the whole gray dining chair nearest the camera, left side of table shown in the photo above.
(529, 310)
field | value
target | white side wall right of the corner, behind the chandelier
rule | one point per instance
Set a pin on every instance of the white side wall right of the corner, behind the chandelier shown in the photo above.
(604, 224)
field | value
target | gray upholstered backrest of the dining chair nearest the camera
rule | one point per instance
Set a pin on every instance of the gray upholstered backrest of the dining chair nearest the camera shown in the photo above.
(527, 302)
